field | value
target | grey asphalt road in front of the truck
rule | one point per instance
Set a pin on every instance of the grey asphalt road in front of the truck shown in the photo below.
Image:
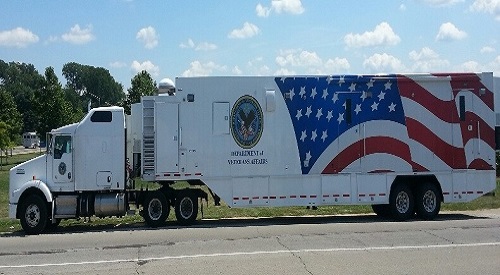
(455, 243)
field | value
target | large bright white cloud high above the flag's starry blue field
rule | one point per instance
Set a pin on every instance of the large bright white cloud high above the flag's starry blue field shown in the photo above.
(381, 35)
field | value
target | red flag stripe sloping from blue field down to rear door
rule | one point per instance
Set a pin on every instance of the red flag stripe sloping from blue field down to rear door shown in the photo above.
(452, 156)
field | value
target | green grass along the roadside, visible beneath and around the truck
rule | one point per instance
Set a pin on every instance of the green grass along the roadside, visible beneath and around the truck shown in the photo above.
(212, 212)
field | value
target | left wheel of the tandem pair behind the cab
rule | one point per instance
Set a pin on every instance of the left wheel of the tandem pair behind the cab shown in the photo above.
(156, 209)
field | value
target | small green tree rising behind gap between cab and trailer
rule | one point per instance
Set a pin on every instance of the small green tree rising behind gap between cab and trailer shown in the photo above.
(142, 85)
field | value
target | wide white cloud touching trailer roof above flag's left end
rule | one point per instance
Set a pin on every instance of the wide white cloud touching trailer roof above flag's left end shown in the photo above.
(310, 62)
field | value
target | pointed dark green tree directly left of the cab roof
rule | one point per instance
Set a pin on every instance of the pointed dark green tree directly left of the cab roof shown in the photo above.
(51, 106)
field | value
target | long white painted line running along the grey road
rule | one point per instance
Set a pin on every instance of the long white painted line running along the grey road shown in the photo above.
(195, 256)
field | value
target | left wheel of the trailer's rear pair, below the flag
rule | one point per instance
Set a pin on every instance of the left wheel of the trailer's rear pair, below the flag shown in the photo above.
(401, 202)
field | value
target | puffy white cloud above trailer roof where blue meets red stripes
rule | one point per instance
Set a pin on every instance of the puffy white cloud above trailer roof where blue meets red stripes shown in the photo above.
(427, 60)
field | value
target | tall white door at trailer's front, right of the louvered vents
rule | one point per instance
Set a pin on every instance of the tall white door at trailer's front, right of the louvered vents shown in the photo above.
(167, 137)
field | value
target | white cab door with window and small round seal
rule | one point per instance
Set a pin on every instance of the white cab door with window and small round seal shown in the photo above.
(62, 161)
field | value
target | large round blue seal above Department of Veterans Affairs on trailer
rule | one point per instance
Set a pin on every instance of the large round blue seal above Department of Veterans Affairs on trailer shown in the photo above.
(246, 122)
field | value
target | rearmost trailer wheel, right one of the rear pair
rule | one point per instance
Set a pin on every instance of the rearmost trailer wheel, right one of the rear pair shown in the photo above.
(428, 201)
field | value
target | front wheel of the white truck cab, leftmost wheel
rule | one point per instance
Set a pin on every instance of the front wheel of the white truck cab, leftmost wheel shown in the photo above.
(33, 215)
